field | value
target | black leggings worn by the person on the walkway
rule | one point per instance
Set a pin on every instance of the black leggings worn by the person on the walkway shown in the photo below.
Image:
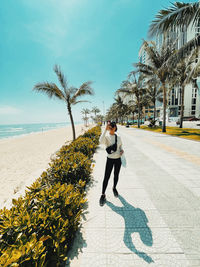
(109, 166)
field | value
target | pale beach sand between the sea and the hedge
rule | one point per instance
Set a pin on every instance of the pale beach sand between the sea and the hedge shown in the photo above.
(24, 158)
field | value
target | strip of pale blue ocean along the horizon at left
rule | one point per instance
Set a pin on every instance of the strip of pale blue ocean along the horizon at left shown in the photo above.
(13, 130)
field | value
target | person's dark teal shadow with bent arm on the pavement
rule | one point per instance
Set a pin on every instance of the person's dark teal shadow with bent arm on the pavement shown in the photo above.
(135, 221)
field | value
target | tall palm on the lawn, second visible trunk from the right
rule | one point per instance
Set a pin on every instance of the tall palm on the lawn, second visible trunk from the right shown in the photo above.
(158, 66)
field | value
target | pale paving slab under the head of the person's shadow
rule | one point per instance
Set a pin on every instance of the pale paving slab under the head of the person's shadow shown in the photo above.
(141, 240)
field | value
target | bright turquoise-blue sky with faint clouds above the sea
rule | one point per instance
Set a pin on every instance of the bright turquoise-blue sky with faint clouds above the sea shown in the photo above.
(94, 40)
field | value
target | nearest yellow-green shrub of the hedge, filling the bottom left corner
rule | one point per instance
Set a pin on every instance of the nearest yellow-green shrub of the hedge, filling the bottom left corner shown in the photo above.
(39, 227)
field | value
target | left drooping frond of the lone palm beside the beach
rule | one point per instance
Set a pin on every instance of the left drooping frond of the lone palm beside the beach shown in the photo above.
(50, 89)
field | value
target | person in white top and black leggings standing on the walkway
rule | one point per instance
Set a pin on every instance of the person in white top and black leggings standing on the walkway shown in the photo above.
(114, 151)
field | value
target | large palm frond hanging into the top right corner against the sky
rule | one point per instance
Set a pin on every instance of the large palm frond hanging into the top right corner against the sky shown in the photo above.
(178, 14)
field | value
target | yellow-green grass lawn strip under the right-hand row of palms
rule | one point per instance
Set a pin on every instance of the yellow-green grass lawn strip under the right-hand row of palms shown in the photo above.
(188, 133)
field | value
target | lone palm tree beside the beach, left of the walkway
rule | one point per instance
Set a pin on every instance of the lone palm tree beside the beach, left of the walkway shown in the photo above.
(70, 95)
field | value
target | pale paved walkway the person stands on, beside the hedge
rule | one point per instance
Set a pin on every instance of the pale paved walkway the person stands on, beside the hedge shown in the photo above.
(156, 219)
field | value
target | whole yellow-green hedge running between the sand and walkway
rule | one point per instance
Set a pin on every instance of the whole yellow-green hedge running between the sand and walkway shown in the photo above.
(39, 228)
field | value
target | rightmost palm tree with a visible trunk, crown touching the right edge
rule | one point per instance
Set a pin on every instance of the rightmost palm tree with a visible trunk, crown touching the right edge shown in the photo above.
(186, 72)
